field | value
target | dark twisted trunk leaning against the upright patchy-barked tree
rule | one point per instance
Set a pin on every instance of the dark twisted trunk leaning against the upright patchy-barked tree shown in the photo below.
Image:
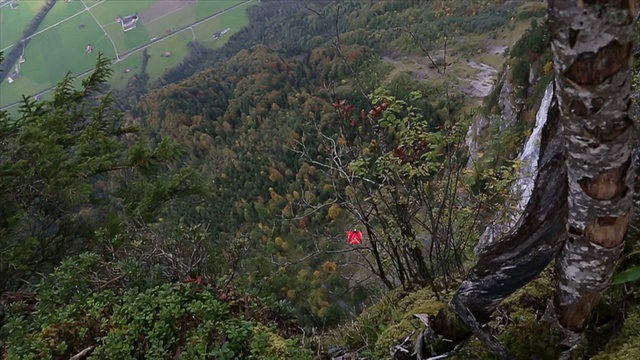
(517, 258)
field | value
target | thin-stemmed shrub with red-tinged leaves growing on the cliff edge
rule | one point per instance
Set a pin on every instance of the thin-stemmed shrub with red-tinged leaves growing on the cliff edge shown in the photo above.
(399, 176)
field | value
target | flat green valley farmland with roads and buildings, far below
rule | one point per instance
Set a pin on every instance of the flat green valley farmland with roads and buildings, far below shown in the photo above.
(63, 39)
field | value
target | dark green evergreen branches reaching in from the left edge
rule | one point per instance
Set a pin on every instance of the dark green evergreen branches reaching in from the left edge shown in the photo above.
(71, 166)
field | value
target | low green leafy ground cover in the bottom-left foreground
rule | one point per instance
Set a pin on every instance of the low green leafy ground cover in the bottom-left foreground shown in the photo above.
(171, 320)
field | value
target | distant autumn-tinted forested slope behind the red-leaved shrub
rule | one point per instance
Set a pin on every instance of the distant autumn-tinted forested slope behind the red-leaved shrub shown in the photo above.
(241, 121)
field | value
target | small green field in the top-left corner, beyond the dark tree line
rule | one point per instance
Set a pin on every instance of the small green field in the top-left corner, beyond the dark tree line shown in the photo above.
(13, 22)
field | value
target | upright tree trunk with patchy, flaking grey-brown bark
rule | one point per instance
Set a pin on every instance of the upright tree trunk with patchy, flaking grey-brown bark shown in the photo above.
(591, 42)
